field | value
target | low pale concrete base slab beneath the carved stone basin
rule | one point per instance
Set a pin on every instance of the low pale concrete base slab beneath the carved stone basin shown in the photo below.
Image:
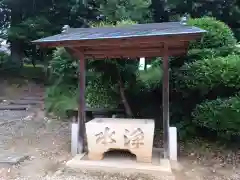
(118, 161)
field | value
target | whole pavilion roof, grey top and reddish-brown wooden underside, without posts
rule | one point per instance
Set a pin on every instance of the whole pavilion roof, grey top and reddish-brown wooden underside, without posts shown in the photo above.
(128, 41)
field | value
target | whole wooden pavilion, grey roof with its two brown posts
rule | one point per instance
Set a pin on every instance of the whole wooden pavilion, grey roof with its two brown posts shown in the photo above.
(130, 41)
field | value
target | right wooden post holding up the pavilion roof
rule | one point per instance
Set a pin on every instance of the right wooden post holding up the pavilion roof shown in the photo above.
(165, 103)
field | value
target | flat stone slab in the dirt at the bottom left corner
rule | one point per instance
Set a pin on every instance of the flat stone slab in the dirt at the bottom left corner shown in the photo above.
(12, 159)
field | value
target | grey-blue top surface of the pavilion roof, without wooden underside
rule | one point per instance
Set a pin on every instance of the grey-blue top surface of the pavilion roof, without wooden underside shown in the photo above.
(139, 30)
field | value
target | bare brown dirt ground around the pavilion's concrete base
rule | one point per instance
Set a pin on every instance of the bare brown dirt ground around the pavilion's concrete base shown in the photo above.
(47, 143)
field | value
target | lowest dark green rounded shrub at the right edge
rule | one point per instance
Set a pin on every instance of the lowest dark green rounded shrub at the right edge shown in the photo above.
(220, 115)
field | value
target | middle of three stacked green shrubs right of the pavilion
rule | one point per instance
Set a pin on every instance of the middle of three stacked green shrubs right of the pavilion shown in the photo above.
(206, 74)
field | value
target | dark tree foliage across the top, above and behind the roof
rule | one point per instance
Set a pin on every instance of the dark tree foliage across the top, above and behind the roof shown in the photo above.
(24, 20)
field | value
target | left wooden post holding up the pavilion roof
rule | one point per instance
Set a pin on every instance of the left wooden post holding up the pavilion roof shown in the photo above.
(81, 109)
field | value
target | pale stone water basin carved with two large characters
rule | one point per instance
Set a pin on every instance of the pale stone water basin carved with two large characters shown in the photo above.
(135, 135)
